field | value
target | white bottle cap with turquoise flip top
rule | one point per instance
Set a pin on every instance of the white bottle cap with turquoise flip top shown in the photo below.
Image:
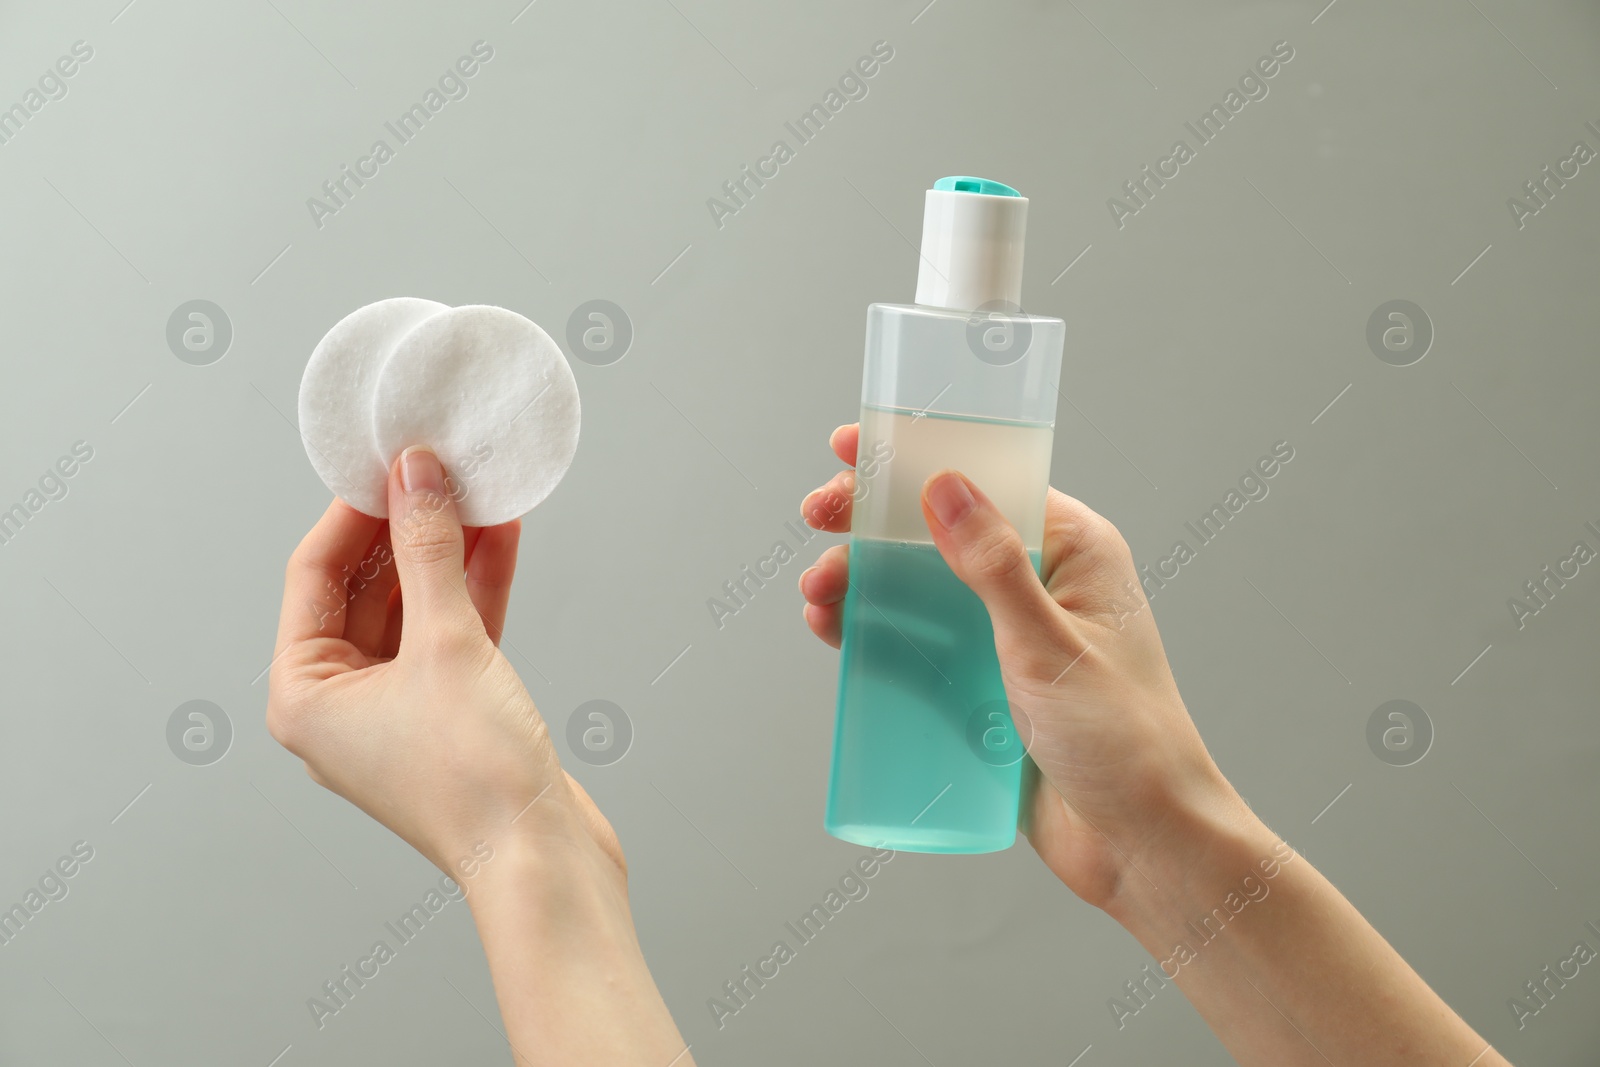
(972, 246)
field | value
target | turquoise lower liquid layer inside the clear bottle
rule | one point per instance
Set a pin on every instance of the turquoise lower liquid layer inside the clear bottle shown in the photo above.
(926, 754)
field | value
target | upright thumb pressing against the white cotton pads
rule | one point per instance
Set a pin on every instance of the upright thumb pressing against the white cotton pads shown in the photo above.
(428, 543)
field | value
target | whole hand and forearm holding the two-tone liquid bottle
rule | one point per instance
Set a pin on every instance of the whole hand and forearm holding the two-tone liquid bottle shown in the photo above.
(1134, 815)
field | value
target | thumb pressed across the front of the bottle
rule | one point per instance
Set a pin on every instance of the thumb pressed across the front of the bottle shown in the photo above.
(988, 554)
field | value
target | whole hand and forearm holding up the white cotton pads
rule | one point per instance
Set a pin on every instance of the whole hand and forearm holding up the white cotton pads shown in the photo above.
(417, 719)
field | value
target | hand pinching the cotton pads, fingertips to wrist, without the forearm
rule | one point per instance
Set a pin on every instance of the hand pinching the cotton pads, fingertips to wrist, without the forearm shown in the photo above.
(407, 708)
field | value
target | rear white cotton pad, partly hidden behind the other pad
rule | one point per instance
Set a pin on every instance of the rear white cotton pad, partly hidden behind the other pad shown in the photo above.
(337, 399)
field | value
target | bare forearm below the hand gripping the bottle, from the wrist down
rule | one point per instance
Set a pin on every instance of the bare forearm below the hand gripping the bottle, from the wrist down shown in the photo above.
(1284, 970)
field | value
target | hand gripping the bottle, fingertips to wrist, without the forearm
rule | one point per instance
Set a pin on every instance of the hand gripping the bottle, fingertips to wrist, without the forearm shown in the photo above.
(1124, 769)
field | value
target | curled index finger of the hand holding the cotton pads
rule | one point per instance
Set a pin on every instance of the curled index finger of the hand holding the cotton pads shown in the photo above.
(316, 596)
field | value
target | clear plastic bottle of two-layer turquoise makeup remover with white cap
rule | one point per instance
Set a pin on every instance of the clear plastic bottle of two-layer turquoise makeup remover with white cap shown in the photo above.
(926, 753)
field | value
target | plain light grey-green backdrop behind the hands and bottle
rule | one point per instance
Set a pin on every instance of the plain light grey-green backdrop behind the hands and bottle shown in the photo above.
(1226, 316)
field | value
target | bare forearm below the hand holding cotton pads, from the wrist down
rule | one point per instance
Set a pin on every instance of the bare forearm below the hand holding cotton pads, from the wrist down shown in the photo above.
(569, 973)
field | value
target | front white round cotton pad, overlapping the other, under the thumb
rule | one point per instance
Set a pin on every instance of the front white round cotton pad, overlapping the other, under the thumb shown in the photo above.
(492, 394)
